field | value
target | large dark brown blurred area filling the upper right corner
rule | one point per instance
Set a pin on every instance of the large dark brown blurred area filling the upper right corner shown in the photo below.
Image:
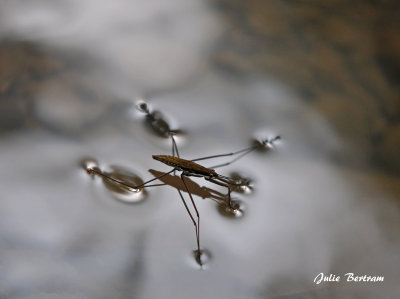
(341, 56)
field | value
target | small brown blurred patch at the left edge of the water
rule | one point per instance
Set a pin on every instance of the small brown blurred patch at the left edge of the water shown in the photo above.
(24, 66)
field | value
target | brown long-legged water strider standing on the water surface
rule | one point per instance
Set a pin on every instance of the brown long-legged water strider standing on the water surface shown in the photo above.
(188, 168)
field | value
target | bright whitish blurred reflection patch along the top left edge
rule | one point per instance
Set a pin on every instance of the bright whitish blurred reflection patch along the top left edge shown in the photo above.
(141, 42)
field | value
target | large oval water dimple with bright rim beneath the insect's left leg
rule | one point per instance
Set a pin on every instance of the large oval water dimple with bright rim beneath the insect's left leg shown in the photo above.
(122, 192)
